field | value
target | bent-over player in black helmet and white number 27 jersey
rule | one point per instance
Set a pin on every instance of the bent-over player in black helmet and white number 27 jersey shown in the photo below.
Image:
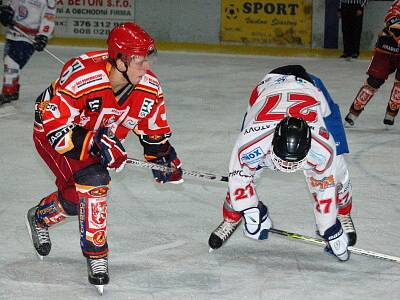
(284, 130)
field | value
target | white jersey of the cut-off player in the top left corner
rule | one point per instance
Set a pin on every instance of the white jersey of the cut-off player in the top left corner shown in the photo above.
(32, 17)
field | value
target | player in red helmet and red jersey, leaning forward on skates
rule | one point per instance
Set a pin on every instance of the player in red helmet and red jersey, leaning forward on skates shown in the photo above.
(81, 121)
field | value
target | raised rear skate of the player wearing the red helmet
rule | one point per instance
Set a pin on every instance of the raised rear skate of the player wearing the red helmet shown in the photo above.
(39, 234)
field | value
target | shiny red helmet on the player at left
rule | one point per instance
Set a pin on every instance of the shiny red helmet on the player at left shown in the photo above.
(129, 39)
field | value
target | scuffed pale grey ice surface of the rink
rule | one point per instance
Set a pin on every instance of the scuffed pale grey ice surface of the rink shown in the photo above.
(158, 233)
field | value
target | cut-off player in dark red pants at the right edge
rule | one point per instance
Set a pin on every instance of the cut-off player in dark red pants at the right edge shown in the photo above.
(386, 60)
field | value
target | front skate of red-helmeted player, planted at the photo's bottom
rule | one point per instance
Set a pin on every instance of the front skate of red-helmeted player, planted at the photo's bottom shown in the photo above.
(98, 273)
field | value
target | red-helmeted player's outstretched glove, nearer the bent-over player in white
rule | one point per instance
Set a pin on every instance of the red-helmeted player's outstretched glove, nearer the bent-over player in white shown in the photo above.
(171, 160)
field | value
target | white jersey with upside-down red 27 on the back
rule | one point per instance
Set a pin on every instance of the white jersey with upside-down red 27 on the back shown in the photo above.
(276, 97)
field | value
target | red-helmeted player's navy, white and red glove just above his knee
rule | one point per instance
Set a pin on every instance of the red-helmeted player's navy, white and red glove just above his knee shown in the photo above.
(112, 153)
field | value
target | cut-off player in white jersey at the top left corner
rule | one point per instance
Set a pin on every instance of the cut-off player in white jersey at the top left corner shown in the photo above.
(36, 19)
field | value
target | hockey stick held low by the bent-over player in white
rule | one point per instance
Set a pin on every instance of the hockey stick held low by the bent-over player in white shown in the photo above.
(316, 241)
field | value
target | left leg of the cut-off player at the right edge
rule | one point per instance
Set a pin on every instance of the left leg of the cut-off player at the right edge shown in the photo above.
(380, 68)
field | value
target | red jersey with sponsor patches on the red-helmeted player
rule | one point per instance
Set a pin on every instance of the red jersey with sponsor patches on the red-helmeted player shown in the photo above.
(81, 101)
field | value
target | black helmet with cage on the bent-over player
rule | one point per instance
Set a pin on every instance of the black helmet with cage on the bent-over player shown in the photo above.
(290, 144)
